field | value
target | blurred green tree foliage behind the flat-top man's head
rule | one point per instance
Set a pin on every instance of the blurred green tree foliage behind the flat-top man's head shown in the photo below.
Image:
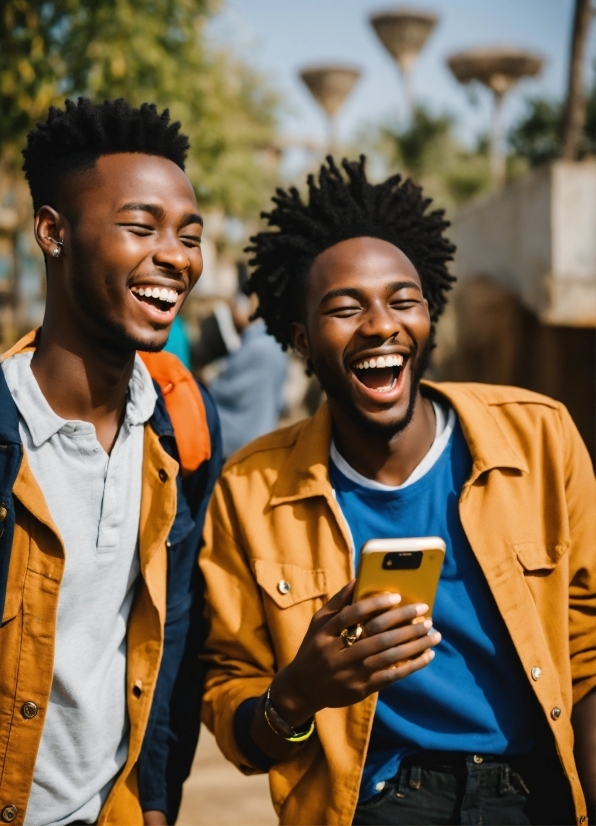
(155, 51)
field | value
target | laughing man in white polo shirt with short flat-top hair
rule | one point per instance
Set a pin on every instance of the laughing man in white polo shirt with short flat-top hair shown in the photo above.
(108, 455)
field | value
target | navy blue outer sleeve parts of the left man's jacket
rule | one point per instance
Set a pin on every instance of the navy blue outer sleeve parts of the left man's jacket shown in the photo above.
(173, 728)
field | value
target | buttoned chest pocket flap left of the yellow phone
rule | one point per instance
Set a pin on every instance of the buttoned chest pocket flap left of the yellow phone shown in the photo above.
(289, 585)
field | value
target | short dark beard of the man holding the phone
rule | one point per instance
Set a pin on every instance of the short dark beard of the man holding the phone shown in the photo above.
(376, 429)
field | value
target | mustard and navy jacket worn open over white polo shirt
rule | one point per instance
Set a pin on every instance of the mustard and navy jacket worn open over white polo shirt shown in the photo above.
(27, 632)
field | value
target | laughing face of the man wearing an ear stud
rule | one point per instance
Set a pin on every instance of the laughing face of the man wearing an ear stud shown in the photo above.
(131, 254)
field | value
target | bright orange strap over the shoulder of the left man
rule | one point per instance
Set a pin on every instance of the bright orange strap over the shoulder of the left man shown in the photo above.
(185, 407)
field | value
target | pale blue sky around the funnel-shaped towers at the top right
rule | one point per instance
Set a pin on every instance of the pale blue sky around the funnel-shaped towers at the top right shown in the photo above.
(280, 37)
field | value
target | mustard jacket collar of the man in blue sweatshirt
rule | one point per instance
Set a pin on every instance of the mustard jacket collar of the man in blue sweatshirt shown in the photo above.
(306, 472)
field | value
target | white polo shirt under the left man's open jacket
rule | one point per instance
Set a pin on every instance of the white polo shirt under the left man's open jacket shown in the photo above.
(94, 500)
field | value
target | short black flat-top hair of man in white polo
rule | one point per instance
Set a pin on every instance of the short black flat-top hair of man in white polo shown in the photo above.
(73, 138)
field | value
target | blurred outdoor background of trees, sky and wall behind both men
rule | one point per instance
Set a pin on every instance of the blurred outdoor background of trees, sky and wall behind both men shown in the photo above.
(490, 106)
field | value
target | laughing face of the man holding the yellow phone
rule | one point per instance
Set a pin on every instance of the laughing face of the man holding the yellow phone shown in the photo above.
(366, 331)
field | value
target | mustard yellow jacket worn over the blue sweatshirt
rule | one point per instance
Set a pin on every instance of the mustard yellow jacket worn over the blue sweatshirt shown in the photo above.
(528, 512)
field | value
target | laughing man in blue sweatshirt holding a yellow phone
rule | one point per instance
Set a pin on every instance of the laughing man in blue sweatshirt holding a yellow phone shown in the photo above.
(369, 710)
